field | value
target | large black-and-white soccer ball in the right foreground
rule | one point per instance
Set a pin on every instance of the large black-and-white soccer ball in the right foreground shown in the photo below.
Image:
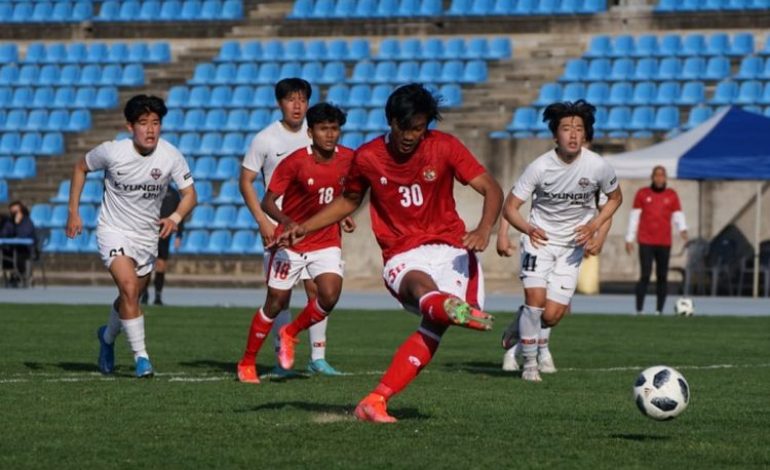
(661, 393)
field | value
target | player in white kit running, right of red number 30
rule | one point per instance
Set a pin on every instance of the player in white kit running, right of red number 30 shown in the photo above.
(563, 227)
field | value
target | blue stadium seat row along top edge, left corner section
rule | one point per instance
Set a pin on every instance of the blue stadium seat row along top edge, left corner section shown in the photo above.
(116, 11)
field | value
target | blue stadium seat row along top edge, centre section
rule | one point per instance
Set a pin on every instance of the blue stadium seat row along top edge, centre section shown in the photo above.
(345, 9)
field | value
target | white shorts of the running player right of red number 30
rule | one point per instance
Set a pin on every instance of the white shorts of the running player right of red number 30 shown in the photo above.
(554, 268)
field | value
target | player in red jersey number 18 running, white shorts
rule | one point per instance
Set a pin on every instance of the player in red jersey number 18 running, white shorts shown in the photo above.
(308, 180)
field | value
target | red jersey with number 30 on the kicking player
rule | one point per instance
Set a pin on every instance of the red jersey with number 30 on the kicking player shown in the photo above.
(412, 202)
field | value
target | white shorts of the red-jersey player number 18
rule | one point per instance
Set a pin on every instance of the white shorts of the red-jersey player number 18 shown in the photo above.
(285, 266)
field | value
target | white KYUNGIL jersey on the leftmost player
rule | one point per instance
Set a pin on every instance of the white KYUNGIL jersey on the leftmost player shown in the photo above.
(134, 185)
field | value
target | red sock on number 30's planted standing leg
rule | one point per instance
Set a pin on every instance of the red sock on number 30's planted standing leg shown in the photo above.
(414, 354)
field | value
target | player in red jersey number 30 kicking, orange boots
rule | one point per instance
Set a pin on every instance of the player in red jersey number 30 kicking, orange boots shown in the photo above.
(430, 265)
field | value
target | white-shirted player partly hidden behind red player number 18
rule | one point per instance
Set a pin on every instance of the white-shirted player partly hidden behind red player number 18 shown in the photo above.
(268, 148)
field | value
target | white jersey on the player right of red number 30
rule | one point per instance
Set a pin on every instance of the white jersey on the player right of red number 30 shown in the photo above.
(564, 195)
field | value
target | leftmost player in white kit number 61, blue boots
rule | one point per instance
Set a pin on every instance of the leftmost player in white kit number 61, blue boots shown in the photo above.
(137, 172)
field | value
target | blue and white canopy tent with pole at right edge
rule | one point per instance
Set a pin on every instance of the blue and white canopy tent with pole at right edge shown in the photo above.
(731, 145)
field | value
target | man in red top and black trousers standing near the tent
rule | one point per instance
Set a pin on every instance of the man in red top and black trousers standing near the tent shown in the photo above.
(650, 224)
